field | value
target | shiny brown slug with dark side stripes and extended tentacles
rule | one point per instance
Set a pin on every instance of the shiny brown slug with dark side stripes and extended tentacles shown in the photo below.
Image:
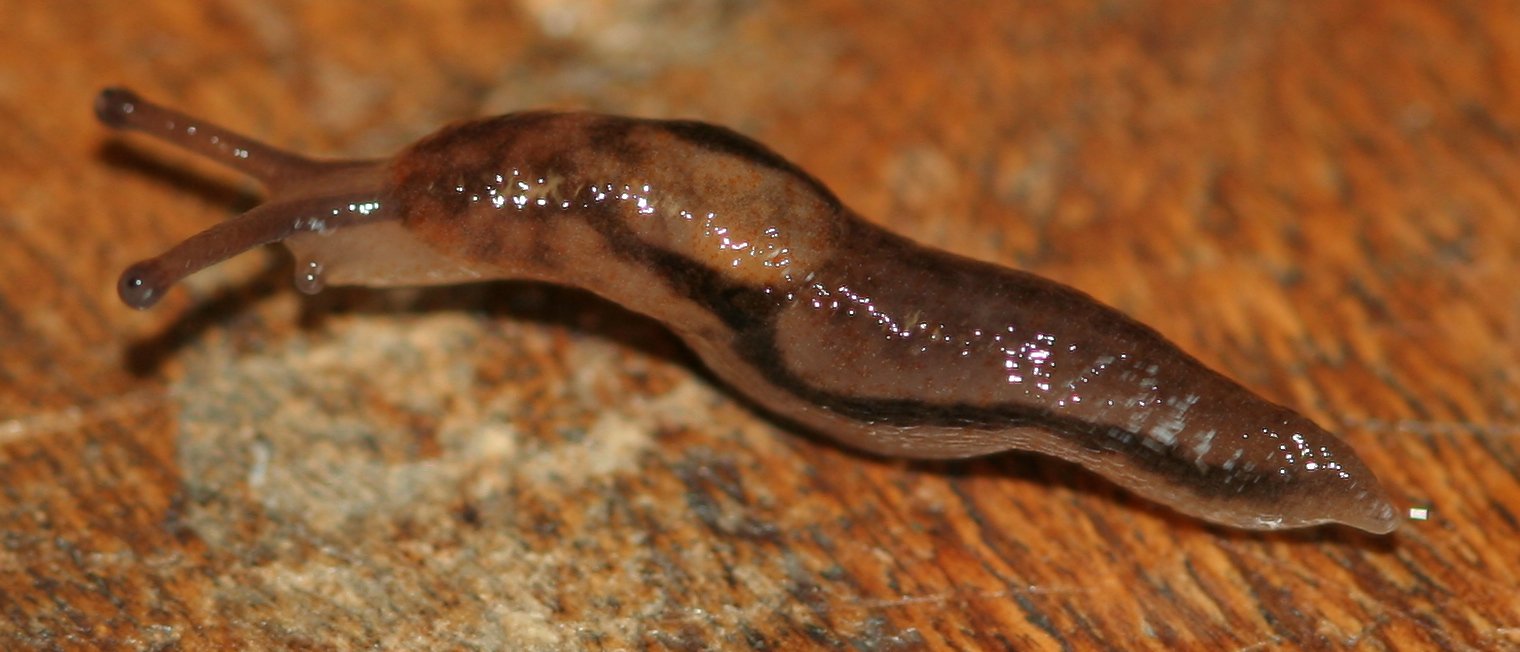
(787, 294)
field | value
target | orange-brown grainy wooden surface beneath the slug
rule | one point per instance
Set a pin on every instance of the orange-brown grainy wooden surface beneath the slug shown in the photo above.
(1322, 200)
